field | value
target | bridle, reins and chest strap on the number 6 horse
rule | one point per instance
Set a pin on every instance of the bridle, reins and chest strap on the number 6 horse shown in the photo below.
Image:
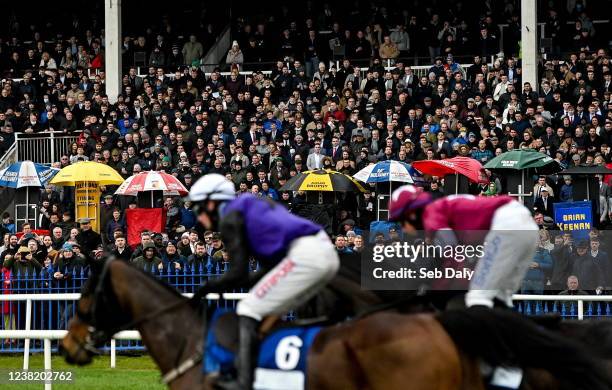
(98, 335)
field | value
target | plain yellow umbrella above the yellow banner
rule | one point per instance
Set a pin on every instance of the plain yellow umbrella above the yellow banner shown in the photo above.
(87, 171)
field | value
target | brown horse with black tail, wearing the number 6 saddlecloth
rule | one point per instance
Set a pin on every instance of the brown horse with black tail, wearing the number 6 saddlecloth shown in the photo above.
(381, 351)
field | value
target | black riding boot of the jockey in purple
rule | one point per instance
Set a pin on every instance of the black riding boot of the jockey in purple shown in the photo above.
(247, 356)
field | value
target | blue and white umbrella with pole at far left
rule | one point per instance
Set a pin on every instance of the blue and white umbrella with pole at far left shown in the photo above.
(26, 174)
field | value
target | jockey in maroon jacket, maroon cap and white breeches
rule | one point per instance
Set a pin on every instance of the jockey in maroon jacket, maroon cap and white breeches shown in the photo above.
(506, 226)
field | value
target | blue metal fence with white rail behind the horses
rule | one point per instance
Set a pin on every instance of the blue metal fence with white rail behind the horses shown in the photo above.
(38, 301)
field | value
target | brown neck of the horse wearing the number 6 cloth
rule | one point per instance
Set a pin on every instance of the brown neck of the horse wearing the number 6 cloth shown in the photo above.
(170, 337)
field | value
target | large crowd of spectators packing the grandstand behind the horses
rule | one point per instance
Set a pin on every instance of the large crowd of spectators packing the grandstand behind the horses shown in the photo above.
(261, 129)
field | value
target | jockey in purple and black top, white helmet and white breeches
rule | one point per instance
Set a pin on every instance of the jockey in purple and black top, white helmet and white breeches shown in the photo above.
(296, 258)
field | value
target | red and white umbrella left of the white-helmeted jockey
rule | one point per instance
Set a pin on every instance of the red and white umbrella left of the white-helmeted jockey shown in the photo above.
(152, 181)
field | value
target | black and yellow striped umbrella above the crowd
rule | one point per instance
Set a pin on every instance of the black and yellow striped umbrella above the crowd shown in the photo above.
(322, 180)
